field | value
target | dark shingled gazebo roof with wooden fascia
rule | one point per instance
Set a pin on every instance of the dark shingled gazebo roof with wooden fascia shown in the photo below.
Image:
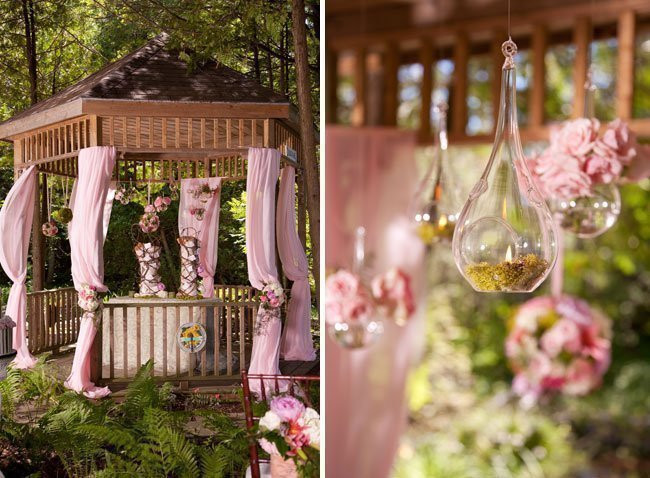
(153, 74)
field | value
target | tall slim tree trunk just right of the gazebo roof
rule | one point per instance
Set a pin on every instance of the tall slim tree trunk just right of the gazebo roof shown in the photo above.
(307, 136)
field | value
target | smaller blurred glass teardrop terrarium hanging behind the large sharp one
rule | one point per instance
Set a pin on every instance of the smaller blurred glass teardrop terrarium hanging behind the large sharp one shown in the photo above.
(437, 202)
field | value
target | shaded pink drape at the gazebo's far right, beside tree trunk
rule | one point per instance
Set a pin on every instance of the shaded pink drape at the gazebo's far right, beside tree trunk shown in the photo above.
(296, 337)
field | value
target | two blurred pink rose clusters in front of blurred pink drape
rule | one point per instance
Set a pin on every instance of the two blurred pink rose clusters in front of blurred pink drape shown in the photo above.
(347, 299)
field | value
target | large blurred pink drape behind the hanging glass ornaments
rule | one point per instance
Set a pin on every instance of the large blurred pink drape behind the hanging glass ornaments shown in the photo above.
(370, 177)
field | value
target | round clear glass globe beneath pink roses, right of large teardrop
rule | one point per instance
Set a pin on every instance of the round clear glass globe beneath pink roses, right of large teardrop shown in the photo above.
(589, 216)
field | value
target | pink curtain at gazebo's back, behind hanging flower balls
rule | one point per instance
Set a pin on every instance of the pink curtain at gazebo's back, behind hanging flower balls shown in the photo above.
(206, 230)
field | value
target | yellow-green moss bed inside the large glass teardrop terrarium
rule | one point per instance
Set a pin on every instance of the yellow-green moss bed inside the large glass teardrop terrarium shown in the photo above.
(519, 274)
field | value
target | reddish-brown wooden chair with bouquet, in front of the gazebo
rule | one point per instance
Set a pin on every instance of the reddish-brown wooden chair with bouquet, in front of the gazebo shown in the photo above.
(297, 385)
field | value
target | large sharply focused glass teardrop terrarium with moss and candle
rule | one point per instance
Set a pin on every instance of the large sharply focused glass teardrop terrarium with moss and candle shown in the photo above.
(505, 239)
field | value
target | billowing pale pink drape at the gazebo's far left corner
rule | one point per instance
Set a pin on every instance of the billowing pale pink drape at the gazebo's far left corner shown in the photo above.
(15, 226)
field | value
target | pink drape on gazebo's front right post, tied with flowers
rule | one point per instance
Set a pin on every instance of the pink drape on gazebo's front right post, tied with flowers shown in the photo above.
(262, 177)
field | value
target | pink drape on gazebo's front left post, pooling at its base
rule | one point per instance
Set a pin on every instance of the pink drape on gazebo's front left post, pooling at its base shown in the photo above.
(86, 233)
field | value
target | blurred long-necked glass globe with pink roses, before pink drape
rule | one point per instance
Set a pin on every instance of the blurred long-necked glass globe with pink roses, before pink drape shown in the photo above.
(352, 320)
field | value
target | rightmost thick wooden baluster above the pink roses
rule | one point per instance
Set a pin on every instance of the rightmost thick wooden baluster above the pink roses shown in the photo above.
(625, 71)
